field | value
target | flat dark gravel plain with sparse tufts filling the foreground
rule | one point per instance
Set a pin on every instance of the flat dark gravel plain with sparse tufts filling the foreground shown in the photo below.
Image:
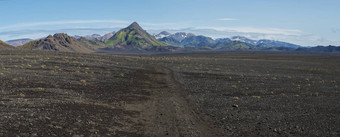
(197, 94)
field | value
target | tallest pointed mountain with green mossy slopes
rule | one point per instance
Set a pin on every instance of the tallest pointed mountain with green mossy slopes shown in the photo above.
(133, 37)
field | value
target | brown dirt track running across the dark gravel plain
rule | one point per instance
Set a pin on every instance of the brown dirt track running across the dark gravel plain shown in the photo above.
(168, 111)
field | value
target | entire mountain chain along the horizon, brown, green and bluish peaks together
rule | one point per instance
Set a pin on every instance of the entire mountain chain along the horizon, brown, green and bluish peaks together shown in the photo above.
(135, 39)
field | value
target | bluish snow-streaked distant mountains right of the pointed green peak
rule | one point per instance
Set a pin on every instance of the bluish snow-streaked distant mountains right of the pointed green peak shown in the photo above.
(243, 43)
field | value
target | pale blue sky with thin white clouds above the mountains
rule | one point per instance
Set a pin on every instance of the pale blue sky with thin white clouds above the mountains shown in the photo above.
(303, 22)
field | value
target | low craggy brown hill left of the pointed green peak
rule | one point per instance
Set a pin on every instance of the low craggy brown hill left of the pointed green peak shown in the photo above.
(63, 42)
